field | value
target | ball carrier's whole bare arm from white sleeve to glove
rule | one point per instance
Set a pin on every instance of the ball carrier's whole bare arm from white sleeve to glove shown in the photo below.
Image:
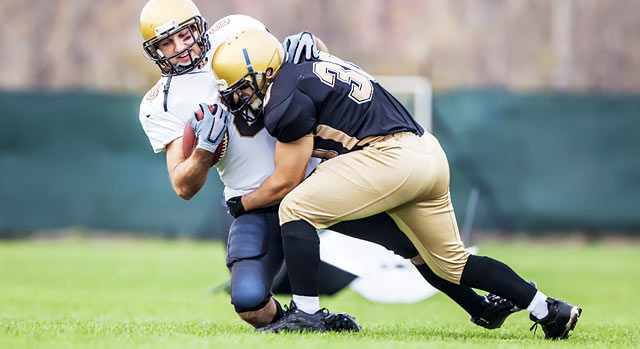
(187, 175)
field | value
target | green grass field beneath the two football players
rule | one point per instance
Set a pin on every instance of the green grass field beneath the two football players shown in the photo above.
(150, 293)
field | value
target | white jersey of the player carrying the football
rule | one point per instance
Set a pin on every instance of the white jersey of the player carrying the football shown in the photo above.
(248, 161)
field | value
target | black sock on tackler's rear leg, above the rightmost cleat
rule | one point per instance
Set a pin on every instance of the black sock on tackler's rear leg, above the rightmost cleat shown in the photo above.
(496, 277)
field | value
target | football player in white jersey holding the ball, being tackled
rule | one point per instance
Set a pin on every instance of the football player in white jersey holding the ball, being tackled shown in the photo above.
(178, 41)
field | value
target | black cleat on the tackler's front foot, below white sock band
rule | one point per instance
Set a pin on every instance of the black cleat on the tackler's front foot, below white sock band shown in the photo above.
(296, 320)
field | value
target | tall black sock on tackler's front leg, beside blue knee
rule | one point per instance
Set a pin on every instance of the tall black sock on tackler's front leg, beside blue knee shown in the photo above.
(301, 247)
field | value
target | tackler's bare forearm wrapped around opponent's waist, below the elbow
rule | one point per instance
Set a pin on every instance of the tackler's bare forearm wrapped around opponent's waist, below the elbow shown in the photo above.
(269, 193)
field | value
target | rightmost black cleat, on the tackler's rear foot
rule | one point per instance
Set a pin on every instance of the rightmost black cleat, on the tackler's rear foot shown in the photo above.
(561, 319)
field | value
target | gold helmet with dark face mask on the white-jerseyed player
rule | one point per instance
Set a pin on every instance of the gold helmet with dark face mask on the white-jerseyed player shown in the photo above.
(161, 19)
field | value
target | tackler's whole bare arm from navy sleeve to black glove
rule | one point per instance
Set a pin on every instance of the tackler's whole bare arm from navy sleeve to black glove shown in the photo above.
(291, 163)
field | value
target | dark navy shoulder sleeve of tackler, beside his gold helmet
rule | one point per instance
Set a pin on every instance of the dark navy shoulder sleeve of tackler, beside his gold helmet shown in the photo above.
(292, 118)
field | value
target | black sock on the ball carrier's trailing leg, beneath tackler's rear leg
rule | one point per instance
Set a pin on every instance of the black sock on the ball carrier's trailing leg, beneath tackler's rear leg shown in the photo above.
(464, 296)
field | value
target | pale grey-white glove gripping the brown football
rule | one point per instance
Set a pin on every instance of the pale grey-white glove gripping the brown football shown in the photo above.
(210, 130)
